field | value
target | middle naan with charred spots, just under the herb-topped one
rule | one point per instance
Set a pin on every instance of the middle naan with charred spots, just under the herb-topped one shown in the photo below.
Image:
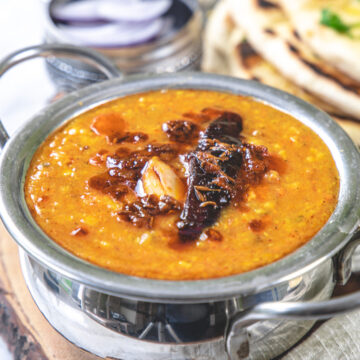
(272, 36)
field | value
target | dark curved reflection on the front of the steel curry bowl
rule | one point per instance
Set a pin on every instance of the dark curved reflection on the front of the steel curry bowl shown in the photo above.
(167, 323)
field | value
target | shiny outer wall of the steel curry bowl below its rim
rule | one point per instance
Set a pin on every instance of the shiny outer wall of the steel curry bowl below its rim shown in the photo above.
(134, 329)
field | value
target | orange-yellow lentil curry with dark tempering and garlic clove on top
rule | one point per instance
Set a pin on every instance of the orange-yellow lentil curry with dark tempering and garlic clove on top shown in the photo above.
(143, 185)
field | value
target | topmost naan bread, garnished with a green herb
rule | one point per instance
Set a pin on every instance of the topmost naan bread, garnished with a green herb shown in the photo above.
(335, 48)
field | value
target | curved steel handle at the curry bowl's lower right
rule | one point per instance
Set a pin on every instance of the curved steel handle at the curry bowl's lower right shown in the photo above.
(237, 342)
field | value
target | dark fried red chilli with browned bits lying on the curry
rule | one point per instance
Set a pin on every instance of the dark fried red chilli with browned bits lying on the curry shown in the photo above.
(220, 157)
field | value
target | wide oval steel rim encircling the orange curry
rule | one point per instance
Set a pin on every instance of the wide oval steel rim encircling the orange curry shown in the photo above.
(18, 151)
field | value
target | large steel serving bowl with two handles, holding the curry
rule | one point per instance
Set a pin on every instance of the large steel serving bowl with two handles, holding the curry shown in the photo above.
(111, 314)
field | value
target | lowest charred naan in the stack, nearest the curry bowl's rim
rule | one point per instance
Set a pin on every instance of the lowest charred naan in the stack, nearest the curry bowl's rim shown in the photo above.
(226, 51)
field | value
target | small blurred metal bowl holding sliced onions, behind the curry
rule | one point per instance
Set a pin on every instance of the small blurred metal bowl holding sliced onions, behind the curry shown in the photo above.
(179, 50)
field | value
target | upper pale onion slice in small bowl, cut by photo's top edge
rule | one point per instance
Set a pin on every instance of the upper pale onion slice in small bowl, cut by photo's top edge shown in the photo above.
(95, 11)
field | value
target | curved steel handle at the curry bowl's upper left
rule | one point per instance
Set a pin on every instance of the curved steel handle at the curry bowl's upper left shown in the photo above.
(47, 50)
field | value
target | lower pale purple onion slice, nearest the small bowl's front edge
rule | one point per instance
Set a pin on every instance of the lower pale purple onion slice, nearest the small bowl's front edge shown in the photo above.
(112, 35)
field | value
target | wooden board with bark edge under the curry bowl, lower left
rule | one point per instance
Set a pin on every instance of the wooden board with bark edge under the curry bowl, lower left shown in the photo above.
(26, 331)
